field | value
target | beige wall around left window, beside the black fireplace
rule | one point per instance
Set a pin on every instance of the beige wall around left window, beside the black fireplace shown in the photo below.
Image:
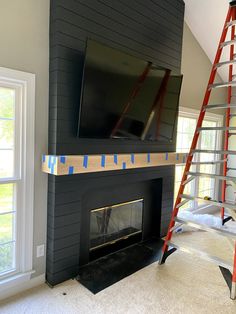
(24, 34)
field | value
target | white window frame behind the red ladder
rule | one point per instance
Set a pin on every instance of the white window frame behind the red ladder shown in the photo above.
(192, 113)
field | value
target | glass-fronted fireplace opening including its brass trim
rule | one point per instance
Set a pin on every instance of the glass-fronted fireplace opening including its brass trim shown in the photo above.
(115, 225)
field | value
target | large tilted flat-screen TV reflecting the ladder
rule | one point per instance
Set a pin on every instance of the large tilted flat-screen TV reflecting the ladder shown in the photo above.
(124, 97)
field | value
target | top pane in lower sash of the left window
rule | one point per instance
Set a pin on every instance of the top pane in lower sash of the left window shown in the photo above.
(6, 198)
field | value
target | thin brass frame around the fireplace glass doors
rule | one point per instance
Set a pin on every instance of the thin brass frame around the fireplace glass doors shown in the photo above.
(124, 237)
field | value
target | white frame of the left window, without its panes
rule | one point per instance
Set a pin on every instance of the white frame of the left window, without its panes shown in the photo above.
(24, 83)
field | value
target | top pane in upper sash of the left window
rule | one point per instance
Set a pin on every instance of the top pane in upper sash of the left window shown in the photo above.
(7, 102)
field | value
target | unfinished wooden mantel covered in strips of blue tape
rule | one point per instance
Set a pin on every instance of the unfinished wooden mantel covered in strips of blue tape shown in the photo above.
(75, 164)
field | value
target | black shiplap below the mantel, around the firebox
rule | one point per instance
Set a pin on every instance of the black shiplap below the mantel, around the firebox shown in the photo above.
(64, 218)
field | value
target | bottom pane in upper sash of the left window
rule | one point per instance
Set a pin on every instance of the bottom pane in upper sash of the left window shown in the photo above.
(6, 163)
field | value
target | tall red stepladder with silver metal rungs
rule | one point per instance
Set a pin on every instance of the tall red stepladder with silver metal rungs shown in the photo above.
(169, 247)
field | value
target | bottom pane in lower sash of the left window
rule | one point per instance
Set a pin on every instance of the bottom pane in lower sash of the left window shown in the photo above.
(7, 253)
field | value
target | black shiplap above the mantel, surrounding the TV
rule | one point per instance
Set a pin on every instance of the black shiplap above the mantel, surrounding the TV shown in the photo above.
(151, 30)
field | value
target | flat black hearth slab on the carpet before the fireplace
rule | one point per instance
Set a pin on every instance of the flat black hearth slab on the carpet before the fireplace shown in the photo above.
(112, 268)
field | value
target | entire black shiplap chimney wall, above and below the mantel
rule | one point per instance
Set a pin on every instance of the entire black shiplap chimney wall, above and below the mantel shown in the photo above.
(150, 29)
